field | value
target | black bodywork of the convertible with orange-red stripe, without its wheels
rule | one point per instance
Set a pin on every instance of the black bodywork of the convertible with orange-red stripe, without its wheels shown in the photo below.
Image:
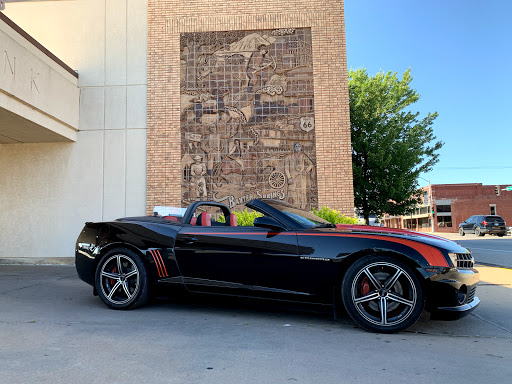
(296, 263)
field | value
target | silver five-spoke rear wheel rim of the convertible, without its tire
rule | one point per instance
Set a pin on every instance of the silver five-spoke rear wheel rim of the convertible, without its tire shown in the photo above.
(119, 279)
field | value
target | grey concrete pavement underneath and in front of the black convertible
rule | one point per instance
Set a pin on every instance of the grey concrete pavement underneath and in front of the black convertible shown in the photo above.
(53, 330)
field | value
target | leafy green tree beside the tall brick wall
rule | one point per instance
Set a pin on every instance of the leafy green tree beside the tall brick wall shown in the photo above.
(391, 145)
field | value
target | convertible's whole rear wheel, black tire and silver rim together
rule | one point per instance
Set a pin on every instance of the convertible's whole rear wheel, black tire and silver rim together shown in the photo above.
(128, 289)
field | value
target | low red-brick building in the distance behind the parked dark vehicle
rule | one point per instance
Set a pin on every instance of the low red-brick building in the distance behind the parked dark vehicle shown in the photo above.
(450, 204)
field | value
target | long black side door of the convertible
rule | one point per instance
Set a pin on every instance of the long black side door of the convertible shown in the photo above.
(235, 260)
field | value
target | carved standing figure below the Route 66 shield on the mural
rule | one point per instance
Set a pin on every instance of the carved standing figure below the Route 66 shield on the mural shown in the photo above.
(297, 169)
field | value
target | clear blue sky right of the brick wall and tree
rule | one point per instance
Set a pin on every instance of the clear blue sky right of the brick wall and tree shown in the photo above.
(460, 55)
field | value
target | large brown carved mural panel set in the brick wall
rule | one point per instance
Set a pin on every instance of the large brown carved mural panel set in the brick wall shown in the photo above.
(247, 117)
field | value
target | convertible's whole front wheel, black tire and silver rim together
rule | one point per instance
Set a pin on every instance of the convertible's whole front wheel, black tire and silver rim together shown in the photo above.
(376, 282)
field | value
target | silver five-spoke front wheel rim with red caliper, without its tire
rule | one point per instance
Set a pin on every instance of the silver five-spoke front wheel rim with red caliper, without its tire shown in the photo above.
(384, 294)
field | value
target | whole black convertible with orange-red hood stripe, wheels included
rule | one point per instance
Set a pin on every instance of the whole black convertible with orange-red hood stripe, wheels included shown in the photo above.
(384, 278)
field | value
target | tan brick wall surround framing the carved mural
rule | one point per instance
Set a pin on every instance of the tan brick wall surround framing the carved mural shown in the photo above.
(168, 19)
